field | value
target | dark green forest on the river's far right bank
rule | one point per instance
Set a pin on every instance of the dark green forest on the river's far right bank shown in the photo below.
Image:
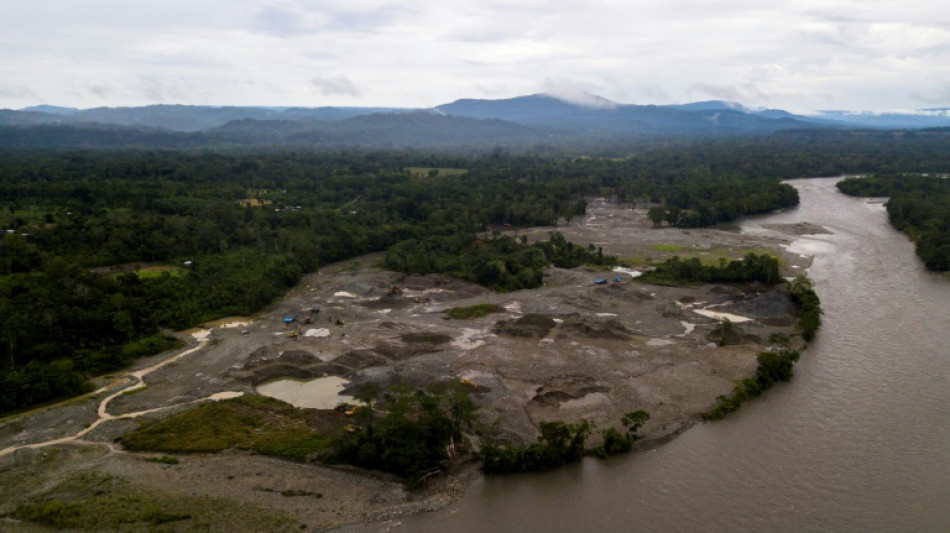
(918, 205)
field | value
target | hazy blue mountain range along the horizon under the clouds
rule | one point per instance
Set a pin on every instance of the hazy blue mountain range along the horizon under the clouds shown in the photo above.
(533, 118)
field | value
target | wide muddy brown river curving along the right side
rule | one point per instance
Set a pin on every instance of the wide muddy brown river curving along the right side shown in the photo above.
(859, 441)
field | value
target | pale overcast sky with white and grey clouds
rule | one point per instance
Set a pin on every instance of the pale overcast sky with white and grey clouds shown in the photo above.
(797, 55)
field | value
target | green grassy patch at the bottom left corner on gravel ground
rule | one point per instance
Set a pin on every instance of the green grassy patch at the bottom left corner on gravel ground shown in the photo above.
(92, 501)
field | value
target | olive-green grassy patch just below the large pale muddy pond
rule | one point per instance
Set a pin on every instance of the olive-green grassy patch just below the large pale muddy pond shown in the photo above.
(265, 425)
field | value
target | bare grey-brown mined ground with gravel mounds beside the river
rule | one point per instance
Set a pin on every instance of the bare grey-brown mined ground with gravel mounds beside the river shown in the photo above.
(572, 350)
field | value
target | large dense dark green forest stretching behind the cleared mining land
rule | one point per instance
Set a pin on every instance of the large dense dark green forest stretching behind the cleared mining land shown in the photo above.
(102, 252)
